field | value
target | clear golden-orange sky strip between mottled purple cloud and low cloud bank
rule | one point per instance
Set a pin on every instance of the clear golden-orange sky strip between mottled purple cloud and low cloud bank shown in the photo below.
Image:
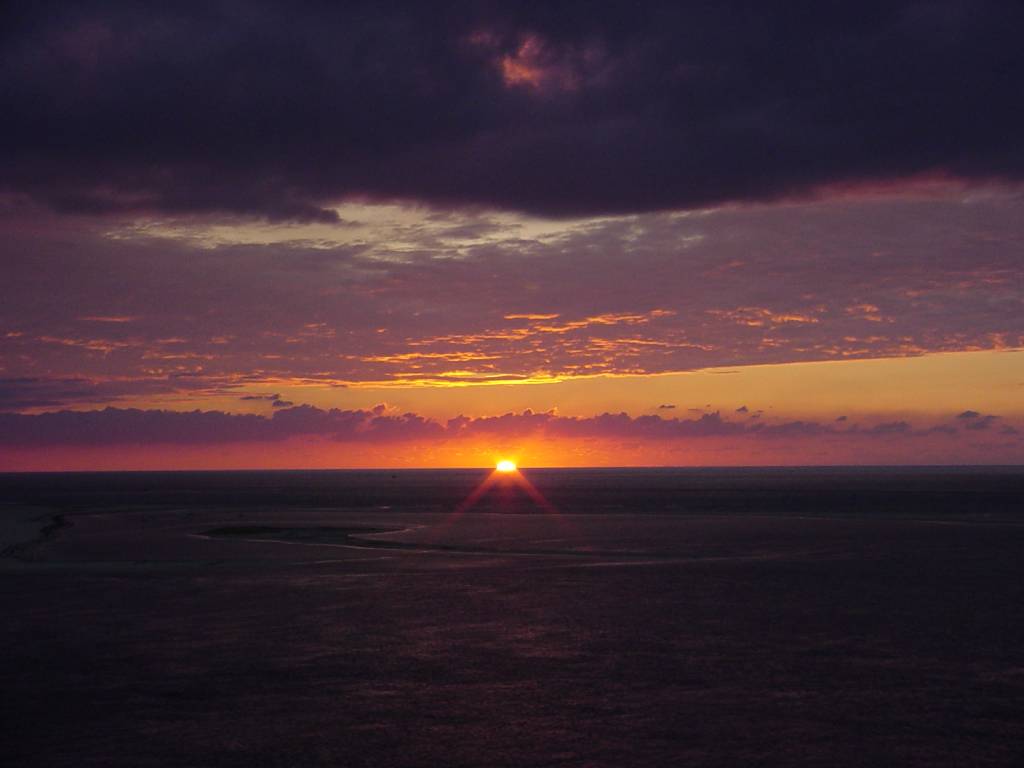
(921, 388)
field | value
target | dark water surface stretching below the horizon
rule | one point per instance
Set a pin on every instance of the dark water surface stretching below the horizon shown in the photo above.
(636, 618)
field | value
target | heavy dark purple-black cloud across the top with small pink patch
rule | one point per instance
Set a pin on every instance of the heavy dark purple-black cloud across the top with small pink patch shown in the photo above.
(279, 109)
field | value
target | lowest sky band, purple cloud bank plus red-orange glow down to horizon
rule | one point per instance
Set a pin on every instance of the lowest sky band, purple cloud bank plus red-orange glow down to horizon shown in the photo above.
(120, 439)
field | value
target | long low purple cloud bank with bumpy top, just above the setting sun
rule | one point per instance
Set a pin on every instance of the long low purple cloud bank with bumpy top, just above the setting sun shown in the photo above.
(137, 428)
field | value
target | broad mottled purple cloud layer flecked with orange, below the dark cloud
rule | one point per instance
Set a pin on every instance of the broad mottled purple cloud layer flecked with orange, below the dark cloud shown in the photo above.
(709, 294)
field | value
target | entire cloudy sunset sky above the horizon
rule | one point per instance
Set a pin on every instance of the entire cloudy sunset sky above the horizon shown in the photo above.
(395, 235)
